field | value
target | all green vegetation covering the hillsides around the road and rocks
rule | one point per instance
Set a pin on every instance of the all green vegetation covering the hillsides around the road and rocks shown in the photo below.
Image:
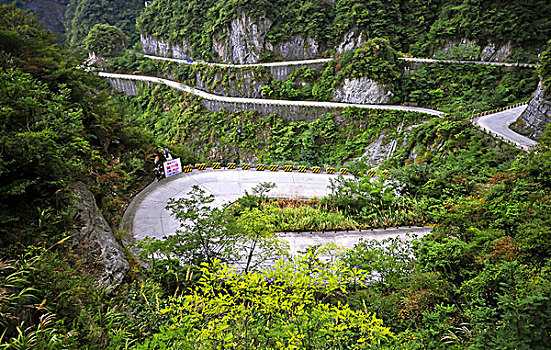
(480, 280)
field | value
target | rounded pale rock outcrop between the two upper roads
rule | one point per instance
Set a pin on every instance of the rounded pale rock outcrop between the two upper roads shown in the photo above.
(364, 91)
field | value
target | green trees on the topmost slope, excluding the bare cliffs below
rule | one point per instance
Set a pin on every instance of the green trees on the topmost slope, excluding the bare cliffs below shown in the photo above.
(418, 27)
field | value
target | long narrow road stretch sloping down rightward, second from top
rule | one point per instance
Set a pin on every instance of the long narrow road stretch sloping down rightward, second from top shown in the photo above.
(212, 97)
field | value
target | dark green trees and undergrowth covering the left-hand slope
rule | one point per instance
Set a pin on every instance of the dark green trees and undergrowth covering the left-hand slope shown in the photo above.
(58, 124)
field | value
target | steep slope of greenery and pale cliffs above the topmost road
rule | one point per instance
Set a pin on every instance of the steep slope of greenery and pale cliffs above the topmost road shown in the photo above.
(246, 32)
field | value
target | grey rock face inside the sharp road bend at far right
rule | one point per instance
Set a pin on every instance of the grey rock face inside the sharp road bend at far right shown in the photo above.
(537, 115)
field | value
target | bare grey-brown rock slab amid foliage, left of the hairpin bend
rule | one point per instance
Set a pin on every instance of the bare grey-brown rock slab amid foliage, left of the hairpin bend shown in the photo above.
(95, 240)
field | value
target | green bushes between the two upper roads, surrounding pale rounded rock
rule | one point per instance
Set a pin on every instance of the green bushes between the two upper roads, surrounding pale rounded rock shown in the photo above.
(435, 85)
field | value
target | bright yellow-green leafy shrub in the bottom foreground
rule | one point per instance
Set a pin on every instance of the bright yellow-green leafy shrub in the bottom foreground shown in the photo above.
(281, 308)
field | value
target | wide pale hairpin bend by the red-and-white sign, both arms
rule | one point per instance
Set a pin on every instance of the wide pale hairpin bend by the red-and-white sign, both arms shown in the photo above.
(147, 215)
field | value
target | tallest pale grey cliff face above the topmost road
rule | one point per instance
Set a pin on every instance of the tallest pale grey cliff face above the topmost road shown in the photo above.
(243, 41)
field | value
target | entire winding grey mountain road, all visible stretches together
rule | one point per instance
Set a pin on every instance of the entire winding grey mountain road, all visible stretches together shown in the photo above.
(147, 215)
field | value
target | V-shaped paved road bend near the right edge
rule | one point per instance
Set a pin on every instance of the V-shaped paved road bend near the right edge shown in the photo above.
(498, 123)
